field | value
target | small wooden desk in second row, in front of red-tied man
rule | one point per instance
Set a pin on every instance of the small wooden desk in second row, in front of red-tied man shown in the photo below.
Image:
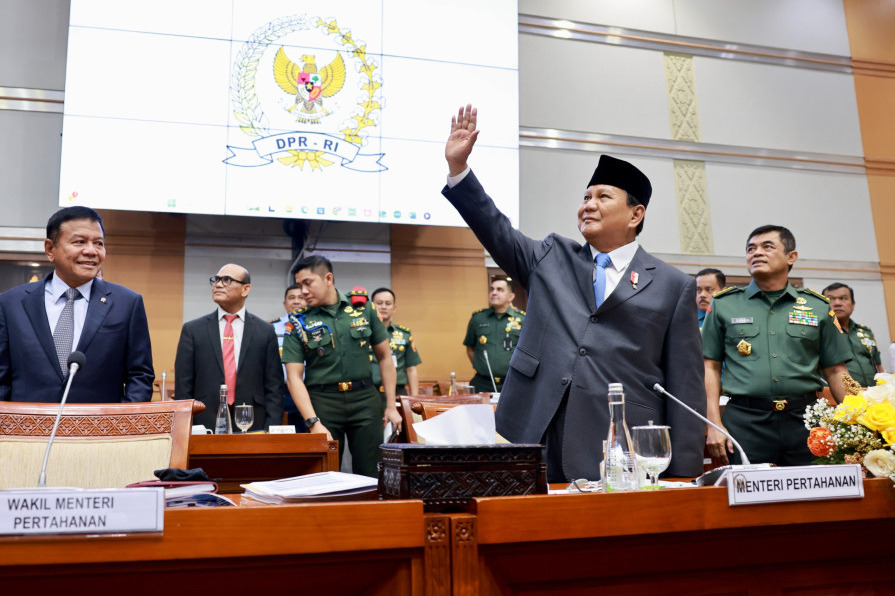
(239, 459)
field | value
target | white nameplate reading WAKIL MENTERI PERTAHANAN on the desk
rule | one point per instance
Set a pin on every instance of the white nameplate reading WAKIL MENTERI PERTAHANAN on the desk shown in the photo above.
(81, 511)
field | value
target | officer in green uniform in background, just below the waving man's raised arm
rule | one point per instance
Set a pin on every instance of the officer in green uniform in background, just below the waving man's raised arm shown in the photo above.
(493, 331)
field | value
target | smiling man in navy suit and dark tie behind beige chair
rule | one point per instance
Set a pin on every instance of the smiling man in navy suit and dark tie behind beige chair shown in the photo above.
(71, 309)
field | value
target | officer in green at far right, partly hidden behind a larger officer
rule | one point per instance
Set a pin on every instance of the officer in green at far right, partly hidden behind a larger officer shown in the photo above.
(866, 360)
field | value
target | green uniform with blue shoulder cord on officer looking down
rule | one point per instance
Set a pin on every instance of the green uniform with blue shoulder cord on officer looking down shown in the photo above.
(334, 344)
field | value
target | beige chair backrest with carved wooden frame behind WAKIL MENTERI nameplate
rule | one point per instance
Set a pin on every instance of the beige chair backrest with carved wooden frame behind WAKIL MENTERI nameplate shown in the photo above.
(97, 445)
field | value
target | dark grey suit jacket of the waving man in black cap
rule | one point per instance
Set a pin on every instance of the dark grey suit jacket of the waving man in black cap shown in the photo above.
(566, 343)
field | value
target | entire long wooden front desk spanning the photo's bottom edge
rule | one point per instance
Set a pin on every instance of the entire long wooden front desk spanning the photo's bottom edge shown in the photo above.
(685, 541)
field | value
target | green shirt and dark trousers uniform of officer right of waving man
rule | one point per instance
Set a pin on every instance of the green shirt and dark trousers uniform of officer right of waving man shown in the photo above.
(772, 346)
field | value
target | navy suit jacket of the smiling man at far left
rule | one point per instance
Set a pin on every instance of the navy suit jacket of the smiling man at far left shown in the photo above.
(115, 340)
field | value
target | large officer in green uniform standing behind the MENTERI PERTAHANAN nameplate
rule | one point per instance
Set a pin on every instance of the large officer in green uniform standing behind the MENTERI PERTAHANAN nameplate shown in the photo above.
(771, 339)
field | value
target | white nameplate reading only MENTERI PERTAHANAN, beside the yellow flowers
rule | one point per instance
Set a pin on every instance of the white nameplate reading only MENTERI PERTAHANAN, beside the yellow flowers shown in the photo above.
(795, 483)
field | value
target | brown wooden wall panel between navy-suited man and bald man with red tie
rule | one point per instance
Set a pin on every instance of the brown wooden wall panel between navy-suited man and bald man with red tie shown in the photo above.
(145, 252)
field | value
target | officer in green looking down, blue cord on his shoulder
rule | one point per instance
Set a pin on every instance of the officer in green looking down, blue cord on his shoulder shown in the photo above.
(326, 349)
